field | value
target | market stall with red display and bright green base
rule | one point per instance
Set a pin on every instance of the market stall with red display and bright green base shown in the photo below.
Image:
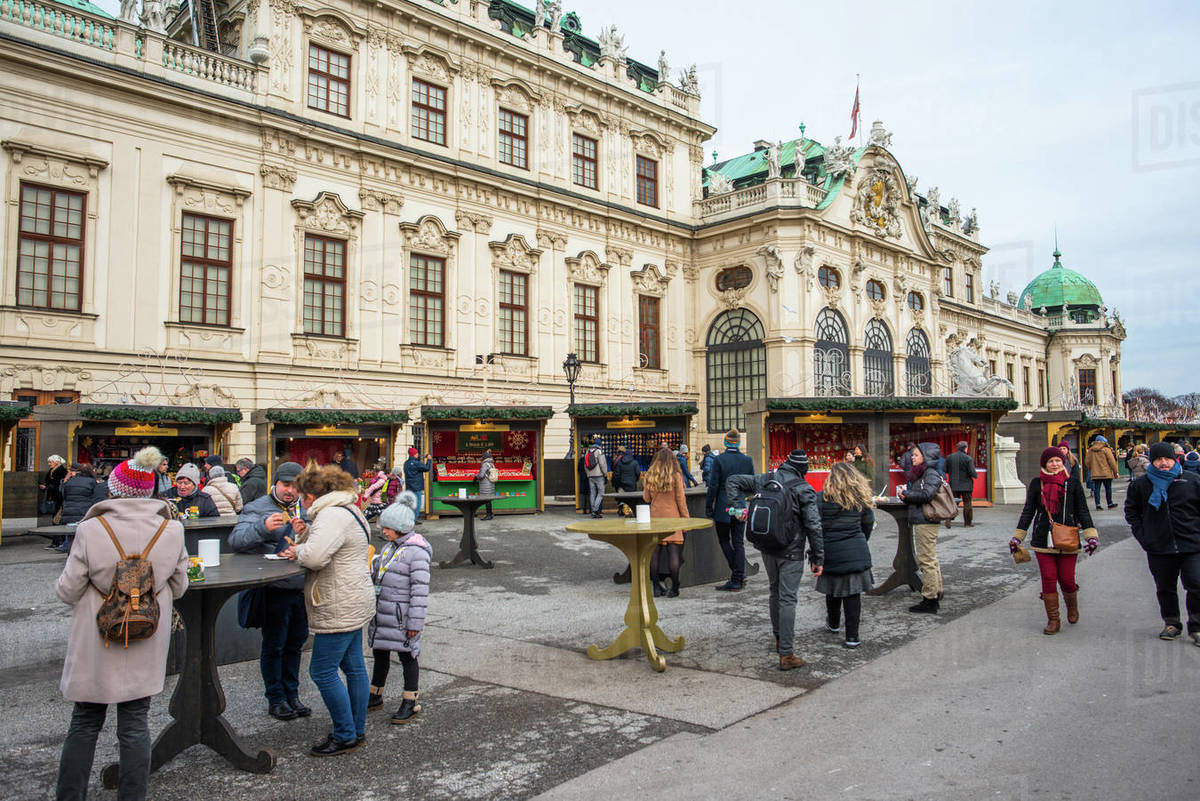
(458, 438)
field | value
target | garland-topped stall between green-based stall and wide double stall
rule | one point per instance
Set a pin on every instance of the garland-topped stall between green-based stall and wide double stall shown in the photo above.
(643, 429)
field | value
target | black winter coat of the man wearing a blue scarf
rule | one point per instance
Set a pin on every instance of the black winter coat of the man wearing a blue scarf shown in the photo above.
(1174, 528)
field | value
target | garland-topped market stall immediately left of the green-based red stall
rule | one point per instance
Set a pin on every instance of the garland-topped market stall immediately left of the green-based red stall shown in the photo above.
(311, 437)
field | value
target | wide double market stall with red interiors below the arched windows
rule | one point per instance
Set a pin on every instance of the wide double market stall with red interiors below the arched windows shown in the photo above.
(830, 429)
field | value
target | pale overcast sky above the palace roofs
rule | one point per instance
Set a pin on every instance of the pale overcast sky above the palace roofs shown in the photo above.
(1082, 116)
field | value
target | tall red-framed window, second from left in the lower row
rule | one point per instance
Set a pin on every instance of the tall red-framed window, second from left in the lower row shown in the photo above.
(205, 267)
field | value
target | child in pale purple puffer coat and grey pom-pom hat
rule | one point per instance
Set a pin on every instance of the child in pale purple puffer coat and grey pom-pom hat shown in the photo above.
(401, 576)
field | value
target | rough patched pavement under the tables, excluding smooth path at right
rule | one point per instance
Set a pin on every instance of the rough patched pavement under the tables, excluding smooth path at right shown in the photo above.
(512, 706)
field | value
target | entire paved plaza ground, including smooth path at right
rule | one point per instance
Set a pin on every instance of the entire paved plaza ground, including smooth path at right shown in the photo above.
(973, 704)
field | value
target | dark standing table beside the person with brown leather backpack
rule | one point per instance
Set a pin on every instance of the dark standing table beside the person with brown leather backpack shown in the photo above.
(199, 701)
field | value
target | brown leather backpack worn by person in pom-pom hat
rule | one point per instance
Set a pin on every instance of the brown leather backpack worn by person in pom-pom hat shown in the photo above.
(130, 610)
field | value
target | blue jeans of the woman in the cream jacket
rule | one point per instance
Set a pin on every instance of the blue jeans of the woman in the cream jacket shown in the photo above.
(347, 703)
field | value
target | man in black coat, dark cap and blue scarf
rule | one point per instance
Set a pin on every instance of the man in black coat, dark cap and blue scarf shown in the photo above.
(1163, 510)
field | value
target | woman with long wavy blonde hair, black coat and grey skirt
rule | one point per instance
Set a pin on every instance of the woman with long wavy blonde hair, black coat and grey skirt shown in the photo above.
(847, 520)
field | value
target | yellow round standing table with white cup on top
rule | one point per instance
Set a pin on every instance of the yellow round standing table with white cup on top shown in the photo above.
(638, 543)
